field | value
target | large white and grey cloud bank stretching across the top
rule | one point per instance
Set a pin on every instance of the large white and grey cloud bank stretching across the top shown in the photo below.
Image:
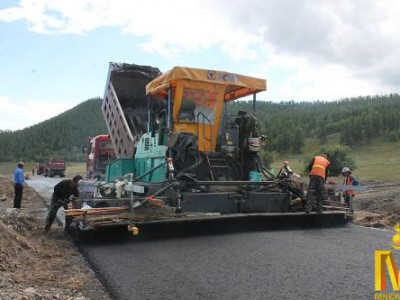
(329, 49)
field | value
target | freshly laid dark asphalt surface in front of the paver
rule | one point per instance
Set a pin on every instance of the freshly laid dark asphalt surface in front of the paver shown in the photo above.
(291, 263)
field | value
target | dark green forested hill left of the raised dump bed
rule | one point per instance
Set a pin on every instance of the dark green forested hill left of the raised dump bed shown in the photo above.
(61, 136)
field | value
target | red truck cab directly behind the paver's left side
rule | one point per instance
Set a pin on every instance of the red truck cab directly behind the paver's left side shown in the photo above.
(99, 154)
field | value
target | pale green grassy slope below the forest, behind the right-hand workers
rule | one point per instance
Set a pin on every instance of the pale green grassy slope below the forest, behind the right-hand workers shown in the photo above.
(377, 161)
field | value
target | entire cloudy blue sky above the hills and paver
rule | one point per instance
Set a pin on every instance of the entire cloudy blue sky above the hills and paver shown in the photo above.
(54, 54)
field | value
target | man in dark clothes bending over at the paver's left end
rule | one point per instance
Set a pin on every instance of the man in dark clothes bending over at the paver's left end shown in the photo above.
(61, 197)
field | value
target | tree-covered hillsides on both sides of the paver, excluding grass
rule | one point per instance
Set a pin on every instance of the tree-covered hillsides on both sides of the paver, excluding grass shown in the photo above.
(358, 121)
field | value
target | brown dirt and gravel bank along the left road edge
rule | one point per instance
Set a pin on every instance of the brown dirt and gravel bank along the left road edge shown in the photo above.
(38, 266)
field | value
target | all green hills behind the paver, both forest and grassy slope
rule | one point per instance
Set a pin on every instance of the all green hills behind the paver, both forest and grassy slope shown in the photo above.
(370, 126)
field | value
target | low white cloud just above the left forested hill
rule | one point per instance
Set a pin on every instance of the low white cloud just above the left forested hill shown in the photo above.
(16, 115)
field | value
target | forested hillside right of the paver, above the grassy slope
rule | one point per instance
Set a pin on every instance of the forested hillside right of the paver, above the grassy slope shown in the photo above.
(357, 120)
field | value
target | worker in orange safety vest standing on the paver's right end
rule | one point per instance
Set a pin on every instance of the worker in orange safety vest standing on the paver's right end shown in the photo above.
(318, 173)
